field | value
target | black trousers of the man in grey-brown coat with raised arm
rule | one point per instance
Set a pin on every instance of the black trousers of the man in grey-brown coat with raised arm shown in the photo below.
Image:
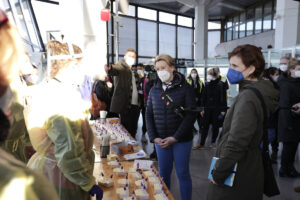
(129, 119)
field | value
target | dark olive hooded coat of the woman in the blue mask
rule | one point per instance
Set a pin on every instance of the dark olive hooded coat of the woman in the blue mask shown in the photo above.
(240, 143)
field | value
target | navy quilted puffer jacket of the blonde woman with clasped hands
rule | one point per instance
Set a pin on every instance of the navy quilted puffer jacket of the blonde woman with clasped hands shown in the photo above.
(163, 122)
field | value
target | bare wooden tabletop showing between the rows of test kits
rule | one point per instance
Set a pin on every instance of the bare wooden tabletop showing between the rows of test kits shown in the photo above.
(103, 167)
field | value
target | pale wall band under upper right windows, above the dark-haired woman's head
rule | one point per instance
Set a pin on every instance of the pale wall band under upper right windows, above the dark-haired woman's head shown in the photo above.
(260, 40)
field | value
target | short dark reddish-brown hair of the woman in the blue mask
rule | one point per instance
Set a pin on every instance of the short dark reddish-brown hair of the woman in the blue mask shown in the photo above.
(250, 55)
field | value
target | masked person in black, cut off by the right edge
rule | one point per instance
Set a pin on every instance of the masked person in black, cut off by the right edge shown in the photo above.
(289, 122)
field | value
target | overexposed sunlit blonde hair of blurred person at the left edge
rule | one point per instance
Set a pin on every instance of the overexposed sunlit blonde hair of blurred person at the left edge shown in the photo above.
(11, 53)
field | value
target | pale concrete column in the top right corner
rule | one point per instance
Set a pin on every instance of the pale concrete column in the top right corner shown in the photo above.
(287, 23)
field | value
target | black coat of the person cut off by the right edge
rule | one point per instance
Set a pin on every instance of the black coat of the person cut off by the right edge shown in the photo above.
(288, 122)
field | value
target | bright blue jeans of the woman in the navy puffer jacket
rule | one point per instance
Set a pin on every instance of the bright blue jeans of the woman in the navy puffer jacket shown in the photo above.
(179, 153)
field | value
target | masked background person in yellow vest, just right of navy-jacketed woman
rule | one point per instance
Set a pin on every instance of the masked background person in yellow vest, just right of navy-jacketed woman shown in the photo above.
(196, 83)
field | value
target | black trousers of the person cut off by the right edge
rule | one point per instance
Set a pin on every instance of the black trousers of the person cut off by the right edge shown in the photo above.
(288, 155)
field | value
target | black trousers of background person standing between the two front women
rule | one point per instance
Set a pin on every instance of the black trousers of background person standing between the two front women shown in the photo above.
(210, 117)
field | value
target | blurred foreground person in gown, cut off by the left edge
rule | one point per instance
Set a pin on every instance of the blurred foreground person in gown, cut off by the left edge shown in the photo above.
(16, 180)
